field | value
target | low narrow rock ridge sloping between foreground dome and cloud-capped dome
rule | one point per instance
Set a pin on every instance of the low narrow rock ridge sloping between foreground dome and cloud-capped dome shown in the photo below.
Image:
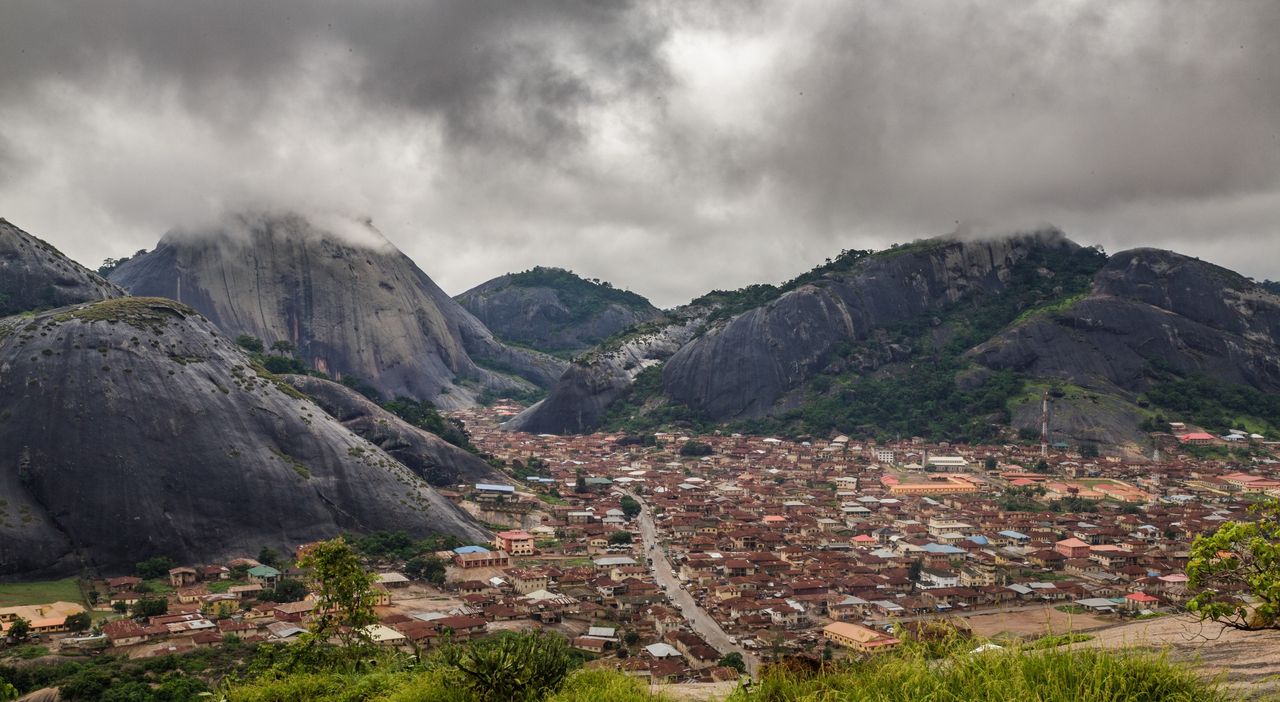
(426, 454)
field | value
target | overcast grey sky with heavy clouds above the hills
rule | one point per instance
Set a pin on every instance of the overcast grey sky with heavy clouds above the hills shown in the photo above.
(670, 148)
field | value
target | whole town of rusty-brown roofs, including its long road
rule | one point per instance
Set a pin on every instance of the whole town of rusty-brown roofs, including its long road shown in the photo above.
(698, 558)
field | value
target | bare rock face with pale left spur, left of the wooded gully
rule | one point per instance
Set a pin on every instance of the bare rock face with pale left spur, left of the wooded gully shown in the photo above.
(744, 367)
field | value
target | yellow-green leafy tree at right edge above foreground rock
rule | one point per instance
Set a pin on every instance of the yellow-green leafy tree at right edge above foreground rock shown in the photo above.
(1241, 558)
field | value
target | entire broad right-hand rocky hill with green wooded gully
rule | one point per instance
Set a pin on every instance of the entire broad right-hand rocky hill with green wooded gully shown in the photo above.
(947, 339)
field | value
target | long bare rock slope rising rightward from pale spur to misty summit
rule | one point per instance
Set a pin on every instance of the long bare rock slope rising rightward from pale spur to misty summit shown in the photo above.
(740, 355)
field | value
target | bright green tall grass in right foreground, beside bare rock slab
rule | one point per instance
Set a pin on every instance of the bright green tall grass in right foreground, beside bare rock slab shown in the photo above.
(1007, 676)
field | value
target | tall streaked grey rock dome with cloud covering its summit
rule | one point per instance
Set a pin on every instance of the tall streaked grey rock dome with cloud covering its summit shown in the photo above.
(345, 298)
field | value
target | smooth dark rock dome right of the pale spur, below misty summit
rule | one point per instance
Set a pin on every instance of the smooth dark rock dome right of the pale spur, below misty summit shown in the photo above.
(746, 367)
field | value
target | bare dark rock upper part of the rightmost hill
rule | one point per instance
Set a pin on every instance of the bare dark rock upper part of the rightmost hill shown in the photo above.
(1150, 307)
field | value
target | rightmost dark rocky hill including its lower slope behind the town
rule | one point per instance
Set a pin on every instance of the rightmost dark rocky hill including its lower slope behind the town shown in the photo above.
(1156, 331)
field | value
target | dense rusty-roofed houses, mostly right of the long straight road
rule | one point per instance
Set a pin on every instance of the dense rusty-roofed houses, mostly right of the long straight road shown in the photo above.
(780, 541)
